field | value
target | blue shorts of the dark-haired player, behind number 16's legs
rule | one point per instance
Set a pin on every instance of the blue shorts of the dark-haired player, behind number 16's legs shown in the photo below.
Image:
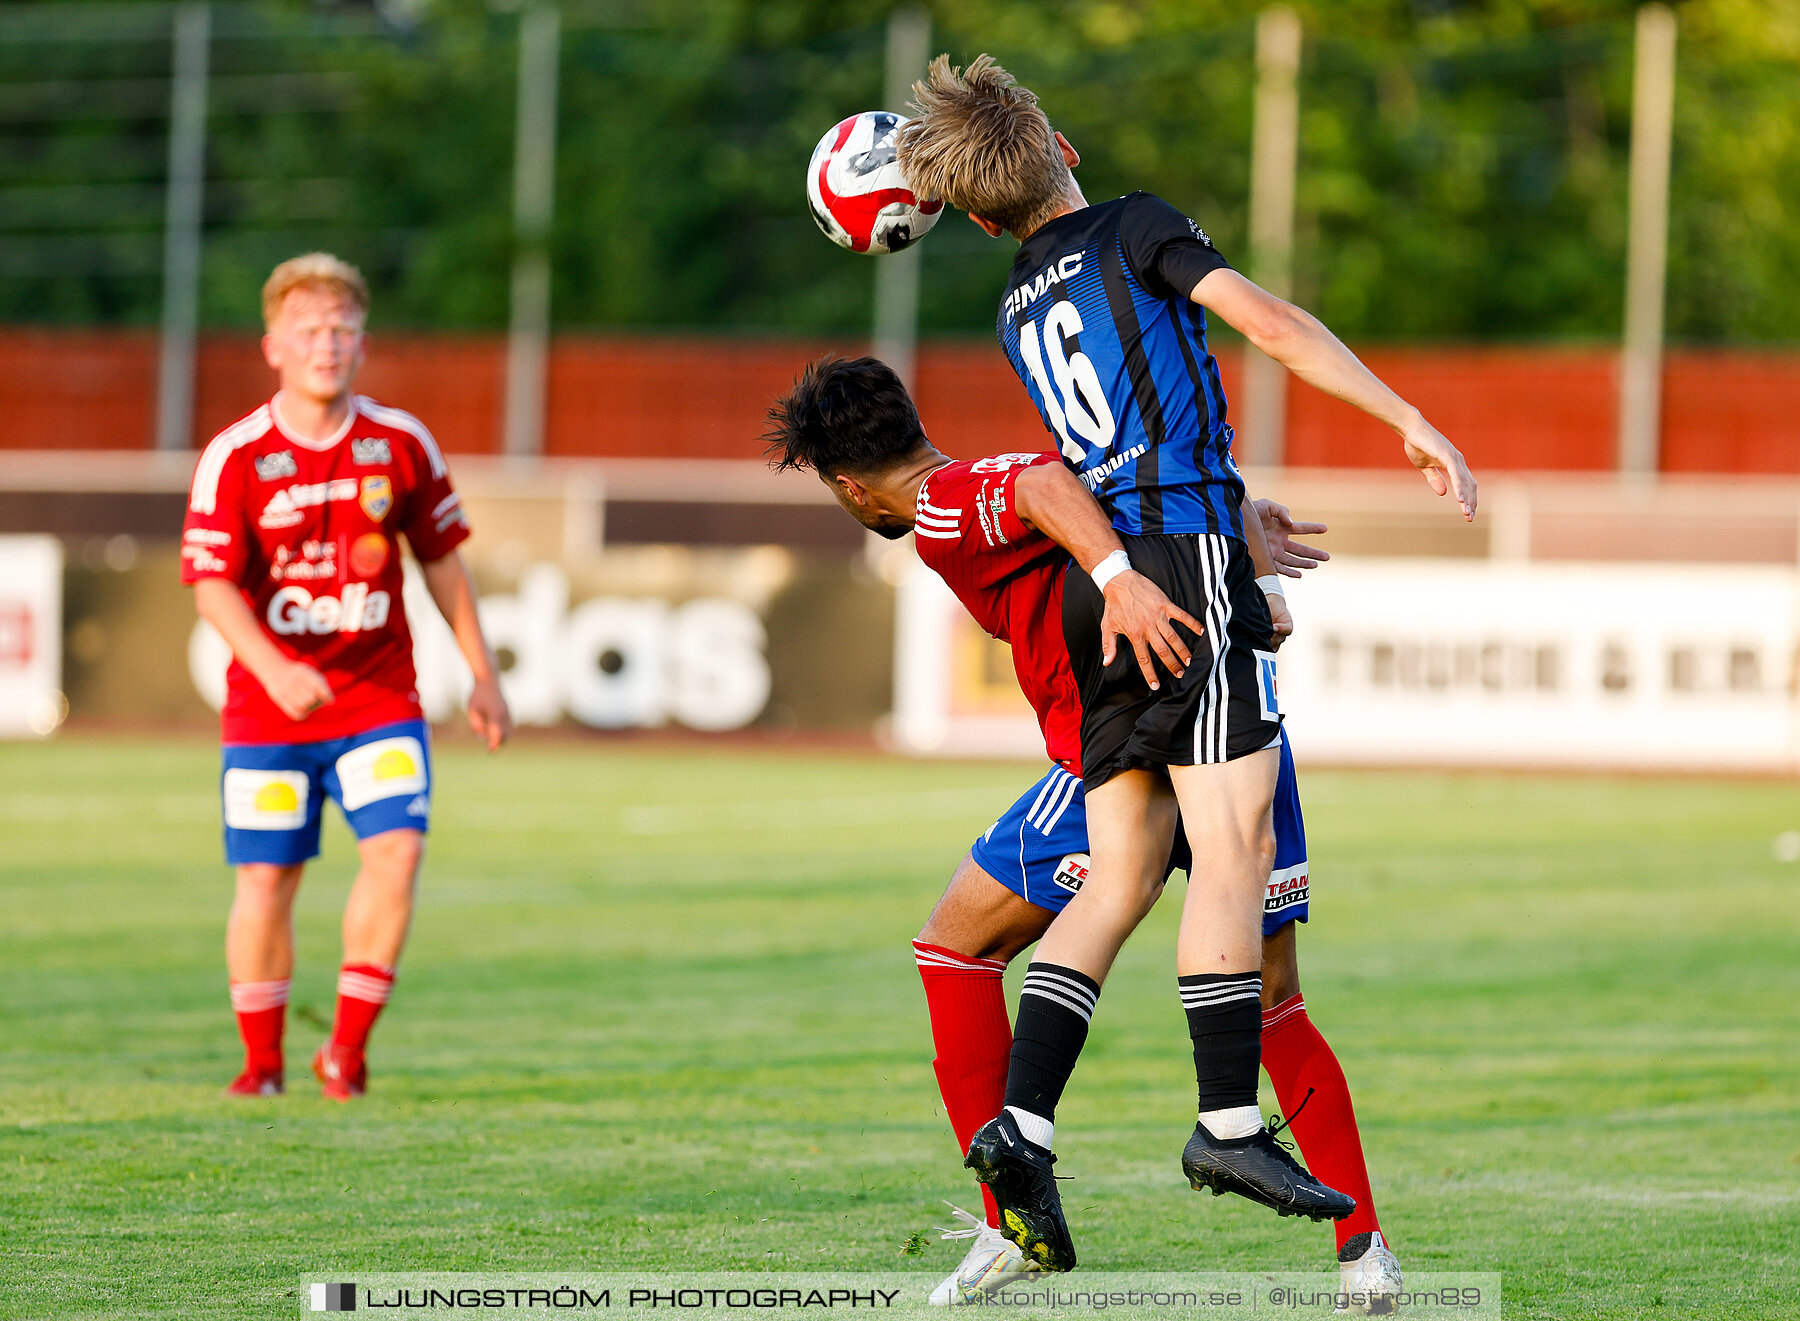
(1039, 847)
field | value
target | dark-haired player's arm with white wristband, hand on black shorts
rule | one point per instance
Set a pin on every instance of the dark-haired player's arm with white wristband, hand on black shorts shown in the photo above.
(1054, 501)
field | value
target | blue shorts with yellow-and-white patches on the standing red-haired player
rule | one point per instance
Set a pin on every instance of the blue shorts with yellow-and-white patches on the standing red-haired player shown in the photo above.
(274, 793)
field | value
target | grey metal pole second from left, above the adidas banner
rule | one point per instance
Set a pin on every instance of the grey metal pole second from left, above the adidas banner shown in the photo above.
(534, 206)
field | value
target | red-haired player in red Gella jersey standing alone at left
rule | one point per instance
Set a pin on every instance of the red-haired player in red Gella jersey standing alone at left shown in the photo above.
(292, 546)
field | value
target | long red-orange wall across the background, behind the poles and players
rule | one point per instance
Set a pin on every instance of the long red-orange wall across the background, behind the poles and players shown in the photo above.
(649, 397)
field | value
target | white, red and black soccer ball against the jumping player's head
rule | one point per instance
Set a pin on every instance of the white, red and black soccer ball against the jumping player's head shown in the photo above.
(856, 188)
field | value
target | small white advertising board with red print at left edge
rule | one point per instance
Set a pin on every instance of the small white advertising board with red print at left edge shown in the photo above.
(31, 636)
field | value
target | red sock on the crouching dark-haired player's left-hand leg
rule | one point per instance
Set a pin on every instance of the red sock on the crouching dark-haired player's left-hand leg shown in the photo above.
(969, 1027)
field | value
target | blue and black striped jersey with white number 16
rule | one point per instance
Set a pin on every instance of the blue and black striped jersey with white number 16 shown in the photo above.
(1099, 325)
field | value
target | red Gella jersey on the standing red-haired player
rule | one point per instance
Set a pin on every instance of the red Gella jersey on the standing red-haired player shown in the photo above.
(310, 534)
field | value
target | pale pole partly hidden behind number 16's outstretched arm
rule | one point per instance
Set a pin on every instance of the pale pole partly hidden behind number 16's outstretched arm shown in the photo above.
(1275, 156)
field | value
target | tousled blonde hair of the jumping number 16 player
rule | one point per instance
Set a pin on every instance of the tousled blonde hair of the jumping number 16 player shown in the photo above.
(980, 143)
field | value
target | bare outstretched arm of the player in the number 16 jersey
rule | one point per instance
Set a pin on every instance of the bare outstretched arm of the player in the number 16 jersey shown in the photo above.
(1300, 343)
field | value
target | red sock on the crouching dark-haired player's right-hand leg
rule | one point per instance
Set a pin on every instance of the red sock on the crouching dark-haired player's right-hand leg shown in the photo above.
(1300, 1061)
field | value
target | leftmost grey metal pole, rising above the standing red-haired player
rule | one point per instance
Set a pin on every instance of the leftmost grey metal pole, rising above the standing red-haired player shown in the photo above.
(181, 228)
